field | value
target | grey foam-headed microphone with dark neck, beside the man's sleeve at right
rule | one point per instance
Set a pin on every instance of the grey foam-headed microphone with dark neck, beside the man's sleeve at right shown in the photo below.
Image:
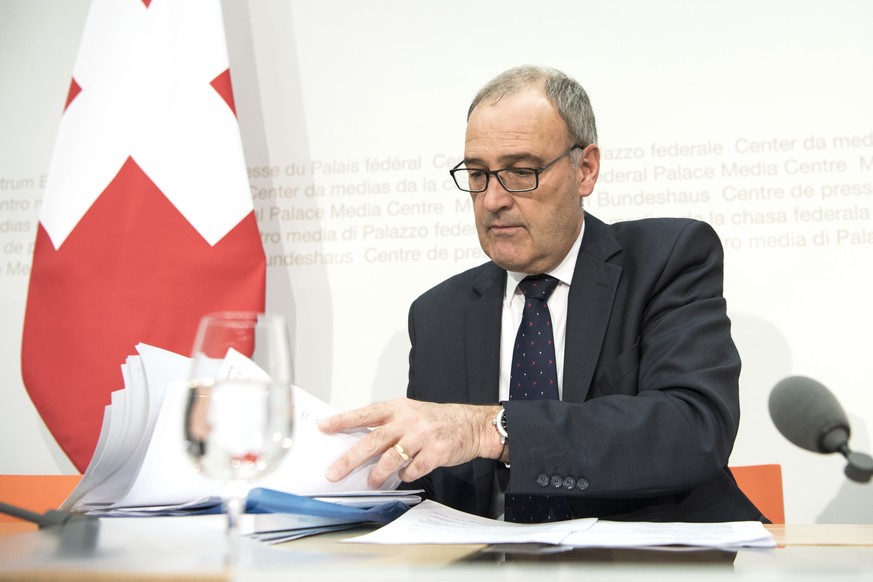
(808, 415)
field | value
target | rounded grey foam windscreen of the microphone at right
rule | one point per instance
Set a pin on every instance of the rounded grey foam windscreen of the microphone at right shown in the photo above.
(804, 411)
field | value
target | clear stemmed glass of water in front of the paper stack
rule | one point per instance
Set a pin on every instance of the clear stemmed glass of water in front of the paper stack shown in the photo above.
(238, 420)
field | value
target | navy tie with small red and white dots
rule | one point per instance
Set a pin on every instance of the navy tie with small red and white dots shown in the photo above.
(535, 377)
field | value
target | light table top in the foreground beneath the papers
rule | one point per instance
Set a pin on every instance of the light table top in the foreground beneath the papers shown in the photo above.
(160, 549)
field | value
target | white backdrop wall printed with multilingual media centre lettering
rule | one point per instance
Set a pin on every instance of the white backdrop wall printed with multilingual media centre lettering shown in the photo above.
(754, 116)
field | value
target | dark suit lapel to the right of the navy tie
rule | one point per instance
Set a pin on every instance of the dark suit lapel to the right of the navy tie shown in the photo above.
(590, 303)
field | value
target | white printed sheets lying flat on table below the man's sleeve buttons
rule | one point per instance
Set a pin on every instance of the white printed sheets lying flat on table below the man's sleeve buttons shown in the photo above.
(433, 523)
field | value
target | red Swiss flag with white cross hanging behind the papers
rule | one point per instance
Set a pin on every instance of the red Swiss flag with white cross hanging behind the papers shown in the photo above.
(147, 221)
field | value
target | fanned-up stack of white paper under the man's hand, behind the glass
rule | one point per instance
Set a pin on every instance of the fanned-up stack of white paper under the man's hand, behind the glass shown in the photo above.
(140, 460)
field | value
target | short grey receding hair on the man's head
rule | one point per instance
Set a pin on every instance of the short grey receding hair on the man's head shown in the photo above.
(564, 92)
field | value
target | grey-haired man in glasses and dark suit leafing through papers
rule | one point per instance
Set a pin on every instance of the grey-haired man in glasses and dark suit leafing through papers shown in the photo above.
(646, 408)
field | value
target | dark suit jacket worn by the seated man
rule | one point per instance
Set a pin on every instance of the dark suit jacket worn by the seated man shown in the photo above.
(650, 404)
